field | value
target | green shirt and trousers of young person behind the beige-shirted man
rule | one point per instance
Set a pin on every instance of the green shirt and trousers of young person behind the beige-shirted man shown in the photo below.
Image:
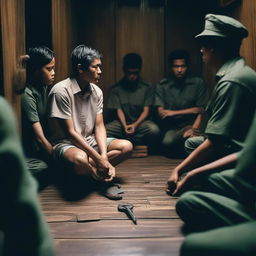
(34, 109)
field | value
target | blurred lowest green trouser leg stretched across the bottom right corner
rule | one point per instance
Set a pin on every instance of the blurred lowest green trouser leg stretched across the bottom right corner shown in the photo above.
(235, 240)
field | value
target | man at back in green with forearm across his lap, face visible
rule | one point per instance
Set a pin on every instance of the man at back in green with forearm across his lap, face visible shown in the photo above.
(180, 100)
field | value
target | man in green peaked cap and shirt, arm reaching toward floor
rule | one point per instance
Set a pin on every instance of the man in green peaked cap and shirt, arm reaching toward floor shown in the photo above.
(232, 104)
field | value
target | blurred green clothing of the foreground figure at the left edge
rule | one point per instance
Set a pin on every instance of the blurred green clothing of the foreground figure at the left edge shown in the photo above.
(25, 232)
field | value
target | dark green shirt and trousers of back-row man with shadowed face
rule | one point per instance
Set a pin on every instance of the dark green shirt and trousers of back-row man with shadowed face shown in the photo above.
(132, 99)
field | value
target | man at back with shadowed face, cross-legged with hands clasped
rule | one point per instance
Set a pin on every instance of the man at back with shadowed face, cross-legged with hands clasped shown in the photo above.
(131, 98)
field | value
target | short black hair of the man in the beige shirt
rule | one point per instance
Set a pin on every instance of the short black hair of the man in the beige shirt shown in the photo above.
(84, 56)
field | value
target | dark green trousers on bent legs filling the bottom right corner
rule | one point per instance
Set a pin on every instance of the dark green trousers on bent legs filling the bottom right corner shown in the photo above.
(224, 217)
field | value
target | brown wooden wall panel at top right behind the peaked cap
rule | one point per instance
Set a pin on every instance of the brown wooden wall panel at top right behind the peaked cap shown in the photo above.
(246, 13)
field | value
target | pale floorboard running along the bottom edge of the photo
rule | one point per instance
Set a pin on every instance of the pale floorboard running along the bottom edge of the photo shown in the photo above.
(117, 247)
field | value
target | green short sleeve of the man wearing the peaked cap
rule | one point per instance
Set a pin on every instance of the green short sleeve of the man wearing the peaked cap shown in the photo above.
(231, 112)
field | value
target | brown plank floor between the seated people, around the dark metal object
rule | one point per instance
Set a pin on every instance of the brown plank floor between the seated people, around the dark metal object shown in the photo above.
(93, 225)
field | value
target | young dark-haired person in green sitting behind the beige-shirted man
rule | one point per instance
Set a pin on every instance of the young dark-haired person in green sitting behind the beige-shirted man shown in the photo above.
(40, 64)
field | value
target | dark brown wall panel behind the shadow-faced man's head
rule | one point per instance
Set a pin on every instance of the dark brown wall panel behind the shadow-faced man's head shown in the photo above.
(141, 30)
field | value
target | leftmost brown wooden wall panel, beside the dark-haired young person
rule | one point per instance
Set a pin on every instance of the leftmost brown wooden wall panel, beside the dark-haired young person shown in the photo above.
(13, 46)
